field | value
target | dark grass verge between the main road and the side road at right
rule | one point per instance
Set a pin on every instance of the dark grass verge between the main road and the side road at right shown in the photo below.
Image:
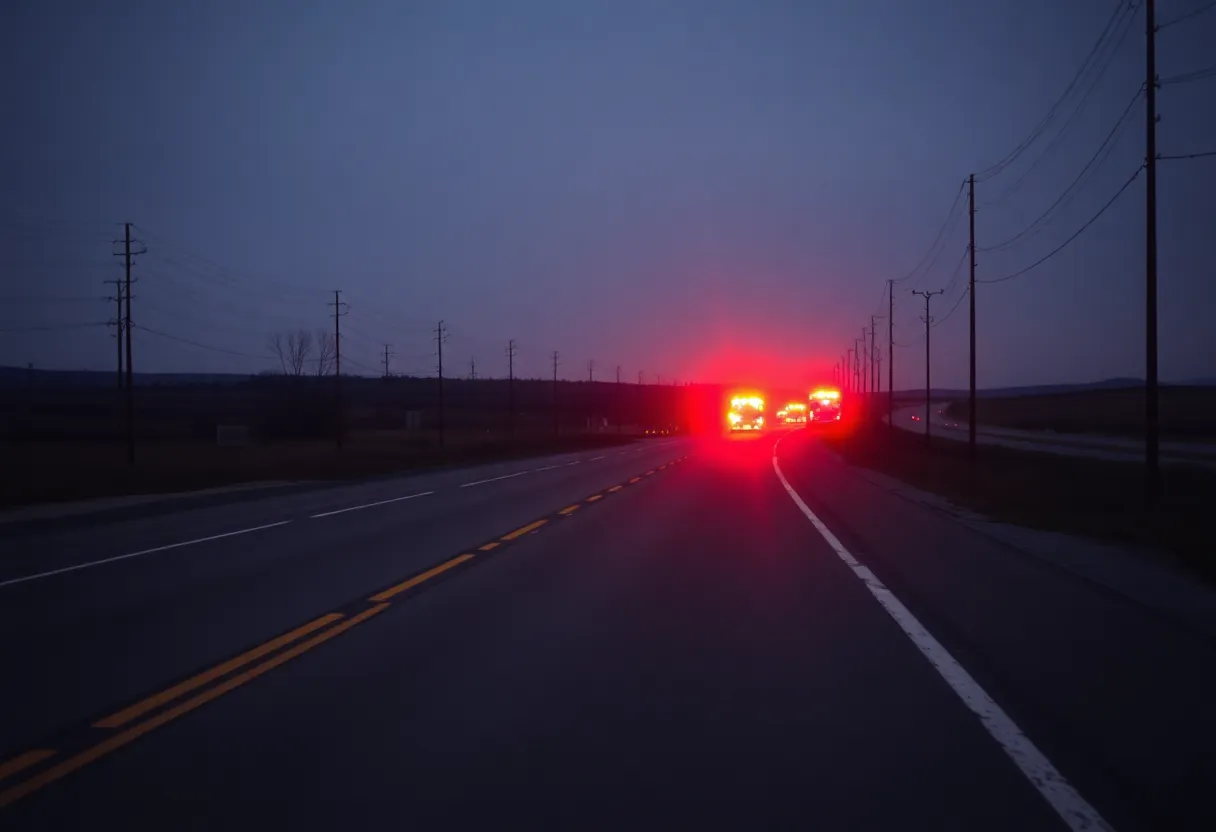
(1094, 498)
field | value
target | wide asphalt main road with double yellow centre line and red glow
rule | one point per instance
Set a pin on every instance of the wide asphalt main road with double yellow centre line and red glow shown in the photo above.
(660, 636)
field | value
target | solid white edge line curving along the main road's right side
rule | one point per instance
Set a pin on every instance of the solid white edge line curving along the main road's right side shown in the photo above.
(1039, 771)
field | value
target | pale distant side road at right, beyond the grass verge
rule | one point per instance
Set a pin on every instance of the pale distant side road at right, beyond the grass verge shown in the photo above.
(1116, 449)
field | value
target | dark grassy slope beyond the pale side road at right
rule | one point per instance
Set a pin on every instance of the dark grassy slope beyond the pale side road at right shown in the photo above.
(1186, 413)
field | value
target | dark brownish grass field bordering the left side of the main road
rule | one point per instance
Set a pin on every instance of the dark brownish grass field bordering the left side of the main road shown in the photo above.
(43, 473)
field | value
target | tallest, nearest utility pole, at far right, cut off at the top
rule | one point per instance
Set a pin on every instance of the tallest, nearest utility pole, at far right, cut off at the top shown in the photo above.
(1152, 464)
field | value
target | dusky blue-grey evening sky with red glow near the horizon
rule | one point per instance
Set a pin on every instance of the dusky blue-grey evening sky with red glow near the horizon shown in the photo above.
(699, 189)
